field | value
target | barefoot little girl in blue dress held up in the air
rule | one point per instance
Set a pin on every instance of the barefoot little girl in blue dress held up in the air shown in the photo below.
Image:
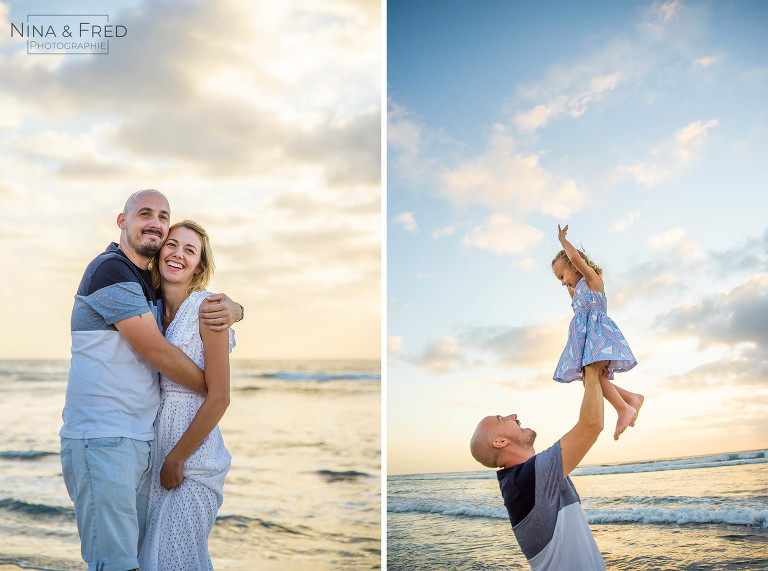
(592, 335)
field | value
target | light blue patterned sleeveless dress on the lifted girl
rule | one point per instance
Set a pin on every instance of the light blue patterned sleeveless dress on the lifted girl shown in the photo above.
(592, 337)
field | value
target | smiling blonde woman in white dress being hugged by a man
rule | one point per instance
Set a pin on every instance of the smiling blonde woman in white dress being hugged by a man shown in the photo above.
(190, 460)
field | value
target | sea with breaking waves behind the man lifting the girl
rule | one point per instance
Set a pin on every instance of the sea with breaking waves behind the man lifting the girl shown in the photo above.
(699, 513)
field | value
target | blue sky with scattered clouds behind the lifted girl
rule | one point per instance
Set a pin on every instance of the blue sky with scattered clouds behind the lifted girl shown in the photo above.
(642, 125)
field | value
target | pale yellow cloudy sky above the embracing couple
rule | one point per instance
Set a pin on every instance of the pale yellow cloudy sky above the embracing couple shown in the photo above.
(259, 120)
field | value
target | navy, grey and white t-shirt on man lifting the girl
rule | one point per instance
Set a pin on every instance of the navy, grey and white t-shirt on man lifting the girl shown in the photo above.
(546, 514)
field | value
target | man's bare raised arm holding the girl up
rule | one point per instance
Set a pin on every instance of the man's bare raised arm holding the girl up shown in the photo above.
(575, 445)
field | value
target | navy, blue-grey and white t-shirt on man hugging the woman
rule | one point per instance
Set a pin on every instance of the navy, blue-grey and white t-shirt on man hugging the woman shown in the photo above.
(112, 390)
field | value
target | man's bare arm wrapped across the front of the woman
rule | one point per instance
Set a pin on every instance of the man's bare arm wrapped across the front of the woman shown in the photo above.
(142, 333)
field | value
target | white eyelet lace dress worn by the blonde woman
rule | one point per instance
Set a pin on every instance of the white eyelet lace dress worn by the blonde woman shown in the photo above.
(179, 520)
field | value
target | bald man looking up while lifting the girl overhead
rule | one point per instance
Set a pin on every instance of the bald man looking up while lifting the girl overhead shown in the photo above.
(545, 511)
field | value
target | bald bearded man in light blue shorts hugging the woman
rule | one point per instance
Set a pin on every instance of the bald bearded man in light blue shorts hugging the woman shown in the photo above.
(113, 391)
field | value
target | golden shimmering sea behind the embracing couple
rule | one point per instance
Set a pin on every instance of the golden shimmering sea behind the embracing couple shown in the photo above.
(304, 491)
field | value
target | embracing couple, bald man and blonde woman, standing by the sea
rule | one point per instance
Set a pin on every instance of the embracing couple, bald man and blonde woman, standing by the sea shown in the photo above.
(143, 459)
